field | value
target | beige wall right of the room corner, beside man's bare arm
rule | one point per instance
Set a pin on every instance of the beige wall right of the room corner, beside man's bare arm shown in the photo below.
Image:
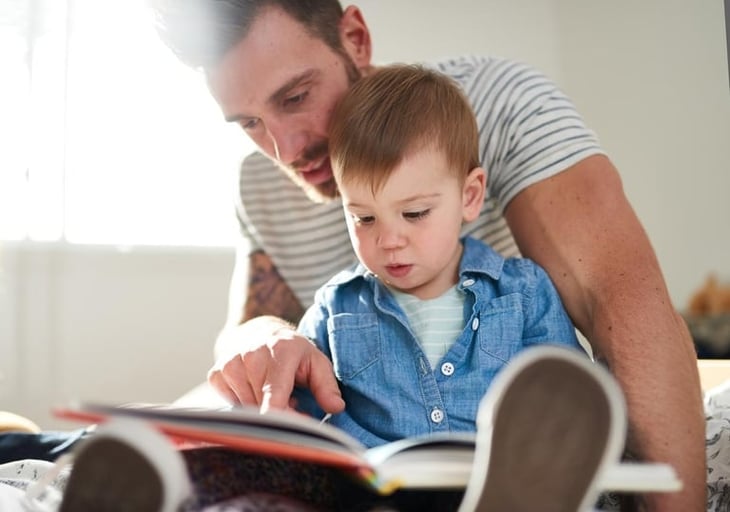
(651, 78)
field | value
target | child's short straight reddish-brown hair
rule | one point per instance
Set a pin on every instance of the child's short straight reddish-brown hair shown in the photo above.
(397, 110)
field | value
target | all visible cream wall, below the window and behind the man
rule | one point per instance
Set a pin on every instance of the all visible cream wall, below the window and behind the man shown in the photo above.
(650, 77)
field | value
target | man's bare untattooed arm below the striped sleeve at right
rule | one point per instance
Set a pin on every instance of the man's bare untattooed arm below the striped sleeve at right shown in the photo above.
(580, 227)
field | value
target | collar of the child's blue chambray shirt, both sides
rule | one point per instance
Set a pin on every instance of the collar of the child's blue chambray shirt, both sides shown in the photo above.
(476, 259)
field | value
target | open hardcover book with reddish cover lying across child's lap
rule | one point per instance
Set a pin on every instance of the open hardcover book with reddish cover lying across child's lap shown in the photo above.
(434, 461)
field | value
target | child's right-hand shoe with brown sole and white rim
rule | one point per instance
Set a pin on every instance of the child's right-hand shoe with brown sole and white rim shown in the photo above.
(548, 426)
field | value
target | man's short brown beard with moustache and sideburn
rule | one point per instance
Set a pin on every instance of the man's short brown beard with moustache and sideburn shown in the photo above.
(318, 151)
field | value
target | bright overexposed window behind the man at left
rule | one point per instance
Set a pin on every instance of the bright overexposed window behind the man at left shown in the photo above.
(114, 141)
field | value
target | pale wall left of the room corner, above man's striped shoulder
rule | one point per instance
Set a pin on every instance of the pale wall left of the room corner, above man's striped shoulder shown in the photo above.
(424, 30)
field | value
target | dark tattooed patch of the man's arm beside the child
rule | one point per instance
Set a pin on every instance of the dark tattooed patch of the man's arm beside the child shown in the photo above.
(268, 293)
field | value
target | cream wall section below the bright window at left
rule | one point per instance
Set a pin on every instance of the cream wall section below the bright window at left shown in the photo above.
(103, 323)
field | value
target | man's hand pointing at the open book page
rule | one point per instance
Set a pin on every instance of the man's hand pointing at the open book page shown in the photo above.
(264, 359)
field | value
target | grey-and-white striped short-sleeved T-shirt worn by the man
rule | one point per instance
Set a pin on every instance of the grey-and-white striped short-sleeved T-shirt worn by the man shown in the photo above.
(528, 131)
